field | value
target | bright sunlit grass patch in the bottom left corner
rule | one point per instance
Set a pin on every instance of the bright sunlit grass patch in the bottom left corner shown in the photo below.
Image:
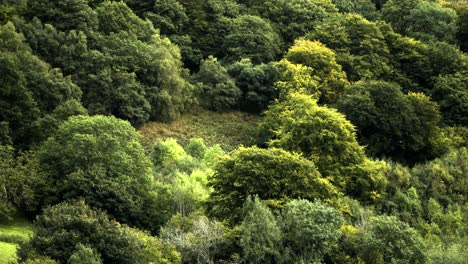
(11, 235)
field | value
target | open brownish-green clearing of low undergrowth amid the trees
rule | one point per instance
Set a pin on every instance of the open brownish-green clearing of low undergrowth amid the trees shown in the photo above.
(229, 129)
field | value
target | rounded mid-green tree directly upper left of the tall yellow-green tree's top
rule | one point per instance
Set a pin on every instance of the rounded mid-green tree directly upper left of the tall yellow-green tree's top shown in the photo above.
(253, 38)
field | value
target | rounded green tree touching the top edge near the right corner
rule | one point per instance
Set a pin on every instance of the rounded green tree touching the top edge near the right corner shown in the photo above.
(425, 20)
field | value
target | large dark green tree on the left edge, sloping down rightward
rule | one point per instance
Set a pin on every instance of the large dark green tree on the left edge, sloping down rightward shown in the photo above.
(30, 90)
